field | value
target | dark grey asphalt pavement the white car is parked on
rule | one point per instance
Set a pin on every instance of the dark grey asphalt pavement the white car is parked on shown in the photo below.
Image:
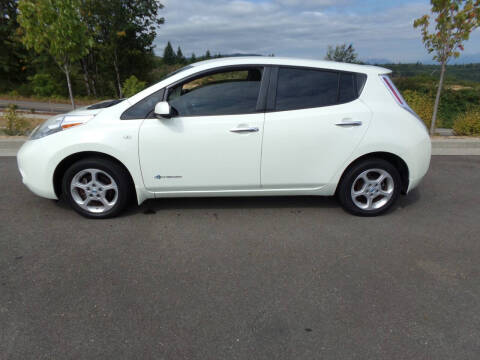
(260, 278)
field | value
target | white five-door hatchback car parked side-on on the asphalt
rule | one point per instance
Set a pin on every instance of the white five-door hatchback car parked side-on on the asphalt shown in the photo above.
(251, 126)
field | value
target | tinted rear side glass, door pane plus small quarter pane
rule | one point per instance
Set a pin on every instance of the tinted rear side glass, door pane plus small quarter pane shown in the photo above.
(306, 88)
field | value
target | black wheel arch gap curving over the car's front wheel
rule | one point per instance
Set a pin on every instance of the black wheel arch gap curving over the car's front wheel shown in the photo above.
(72, 158)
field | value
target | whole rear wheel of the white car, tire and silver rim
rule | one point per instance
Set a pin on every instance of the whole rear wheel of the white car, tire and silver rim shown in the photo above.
(369, 188)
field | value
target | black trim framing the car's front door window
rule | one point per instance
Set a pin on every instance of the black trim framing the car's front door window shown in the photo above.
(262, 93)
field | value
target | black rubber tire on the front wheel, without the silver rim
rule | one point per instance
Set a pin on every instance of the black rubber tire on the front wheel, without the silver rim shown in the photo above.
(115, 171)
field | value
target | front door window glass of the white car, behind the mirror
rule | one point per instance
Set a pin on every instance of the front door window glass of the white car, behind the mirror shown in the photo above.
(221, 93)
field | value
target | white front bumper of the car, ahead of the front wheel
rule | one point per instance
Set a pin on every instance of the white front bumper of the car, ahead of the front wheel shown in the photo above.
(33, 163)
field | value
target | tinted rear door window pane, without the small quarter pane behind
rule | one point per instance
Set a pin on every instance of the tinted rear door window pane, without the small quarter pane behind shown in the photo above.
(302, 89)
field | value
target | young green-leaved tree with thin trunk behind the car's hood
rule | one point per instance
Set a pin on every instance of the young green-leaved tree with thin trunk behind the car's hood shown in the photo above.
(55, 27)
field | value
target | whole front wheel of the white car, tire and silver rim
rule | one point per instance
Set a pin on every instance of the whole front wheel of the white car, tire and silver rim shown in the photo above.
(97, 188)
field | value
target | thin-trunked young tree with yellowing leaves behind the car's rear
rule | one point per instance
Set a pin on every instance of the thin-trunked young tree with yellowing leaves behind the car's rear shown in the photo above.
(454, 21)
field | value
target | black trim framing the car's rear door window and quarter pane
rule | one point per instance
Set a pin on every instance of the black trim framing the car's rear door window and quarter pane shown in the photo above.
(273, 86)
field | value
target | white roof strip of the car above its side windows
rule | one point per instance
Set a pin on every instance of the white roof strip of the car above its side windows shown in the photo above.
(271, 60)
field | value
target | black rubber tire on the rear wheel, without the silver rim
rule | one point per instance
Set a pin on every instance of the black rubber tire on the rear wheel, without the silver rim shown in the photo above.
(344, 191)
